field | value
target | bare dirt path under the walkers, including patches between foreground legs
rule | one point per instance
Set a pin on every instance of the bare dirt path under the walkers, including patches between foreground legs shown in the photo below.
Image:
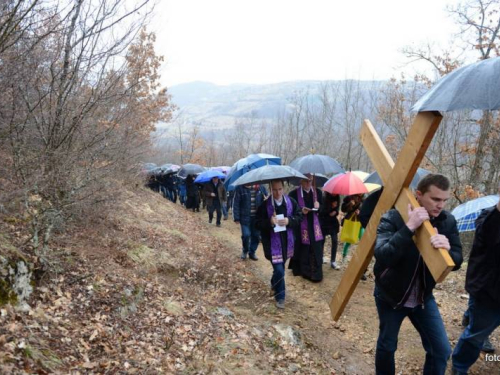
(351, 342)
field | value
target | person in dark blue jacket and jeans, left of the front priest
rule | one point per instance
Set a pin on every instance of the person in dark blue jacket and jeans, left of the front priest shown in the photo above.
(246, 201)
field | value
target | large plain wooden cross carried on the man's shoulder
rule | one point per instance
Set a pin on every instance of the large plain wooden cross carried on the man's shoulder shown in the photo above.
(396, 179)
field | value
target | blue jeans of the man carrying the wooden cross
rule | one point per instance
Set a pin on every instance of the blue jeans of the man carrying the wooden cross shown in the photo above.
(429, 325)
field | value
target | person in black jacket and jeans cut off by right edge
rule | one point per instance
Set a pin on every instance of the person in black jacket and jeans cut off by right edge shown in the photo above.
(483, 284)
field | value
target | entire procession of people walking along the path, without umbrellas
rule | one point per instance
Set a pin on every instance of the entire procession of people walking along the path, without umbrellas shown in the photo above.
(294, 226)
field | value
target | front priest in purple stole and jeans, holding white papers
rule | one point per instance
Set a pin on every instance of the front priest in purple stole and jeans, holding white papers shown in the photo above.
(278, 244)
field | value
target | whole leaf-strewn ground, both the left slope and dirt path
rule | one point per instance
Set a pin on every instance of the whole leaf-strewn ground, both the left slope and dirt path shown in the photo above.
(156, 289)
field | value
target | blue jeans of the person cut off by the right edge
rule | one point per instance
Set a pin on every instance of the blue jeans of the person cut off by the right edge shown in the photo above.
(482, 322)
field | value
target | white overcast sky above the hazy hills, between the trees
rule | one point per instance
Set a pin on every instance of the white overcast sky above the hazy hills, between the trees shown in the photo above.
(267, 41)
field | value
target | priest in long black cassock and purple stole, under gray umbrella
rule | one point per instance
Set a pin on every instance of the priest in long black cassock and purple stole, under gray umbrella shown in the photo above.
(307, 260)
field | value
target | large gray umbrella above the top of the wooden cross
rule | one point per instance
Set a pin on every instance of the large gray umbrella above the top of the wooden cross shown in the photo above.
(475, 86)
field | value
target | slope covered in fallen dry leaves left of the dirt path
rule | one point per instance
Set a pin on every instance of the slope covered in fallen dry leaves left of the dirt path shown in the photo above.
(106, 311)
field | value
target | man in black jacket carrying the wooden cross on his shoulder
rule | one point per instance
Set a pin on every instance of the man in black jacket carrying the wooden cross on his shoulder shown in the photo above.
(404, 284)
